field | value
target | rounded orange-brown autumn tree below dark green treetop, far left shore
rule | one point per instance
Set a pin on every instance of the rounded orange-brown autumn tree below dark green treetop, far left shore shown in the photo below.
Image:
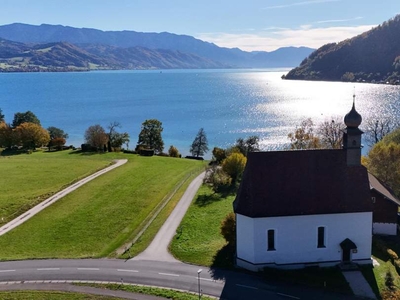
(32, 135)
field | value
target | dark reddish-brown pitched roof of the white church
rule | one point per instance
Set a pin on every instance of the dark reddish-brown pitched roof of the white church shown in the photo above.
(308, 182)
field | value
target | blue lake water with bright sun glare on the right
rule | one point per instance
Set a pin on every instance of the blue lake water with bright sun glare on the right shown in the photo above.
(228, 104)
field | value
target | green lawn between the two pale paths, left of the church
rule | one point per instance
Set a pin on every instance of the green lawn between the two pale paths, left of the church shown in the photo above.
(99, 217)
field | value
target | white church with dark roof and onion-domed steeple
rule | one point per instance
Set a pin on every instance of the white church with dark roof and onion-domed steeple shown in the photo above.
(310, 207)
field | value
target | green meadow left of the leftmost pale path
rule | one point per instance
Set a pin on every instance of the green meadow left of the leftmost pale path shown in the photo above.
(28, 179)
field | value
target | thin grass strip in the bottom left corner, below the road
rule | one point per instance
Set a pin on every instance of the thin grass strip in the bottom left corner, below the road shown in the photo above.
(51, 295)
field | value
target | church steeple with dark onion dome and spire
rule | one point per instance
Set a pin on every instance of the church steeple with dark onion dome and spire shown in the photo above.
(352, 136)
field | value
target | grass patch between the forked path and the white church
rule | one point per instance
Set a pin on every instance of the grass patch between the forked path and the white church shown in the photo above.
(200, 241)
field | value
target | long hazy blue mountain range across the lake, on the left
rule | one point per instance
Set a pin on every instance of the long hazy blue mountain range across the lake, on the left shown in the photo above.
(57, 47)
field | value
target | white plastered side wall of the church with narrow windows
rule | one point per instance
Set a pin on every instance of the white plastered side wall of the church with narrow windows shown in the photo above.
(296, 238)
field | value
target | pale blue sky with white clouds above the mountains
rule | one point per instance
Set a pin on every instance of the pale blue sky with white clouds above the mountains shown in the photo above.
(251, 25)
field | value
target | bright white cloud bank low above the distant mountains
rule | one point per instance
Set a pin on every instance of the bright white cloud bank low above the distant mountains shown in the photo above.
(272, 40)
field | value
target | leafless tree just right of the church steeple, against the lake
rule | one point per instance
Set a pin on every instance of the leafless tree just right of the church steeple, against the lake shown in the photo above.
(377, 129)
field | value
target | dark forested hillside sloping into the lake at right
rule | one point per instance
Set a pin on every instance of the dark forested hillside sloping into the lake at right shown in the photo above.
(373, 56)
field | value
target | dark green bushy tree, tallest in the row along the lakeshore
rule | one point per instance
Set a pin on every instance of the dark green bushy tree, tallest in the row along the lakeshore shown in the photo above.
(150, 135)
